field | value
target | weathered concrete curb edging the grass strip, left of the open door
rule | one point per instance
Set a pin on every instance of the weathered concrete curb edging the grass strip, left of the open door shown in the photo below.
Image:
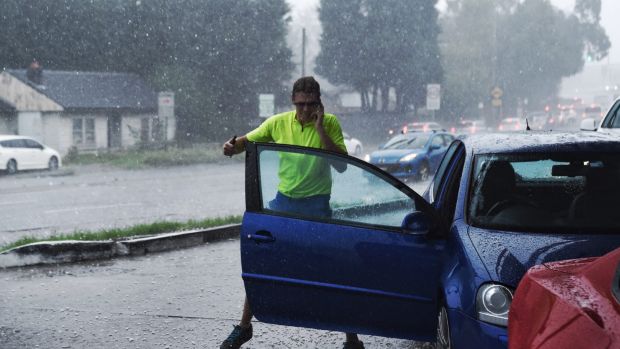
(70, 251)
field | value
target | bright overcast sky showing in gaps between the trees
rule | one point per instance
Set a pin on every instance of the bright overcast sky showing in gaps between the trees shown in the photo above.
(304, 15)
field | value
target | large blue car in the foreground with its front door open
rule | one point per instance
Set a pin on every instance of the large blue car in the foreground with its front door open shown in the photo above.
(441, 267)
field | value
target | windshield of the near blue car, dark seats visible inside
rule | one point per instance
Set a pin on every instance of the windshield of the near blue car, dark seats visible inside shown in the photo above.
(536, 192)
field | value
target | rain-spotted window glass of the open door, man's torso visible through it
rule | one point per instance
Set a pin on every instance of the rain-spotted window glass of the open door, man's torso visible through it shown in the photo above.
(318, 185)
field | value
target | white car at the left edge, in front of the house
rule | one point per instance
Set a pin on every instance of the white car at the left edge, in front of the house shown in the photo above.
(19, 153)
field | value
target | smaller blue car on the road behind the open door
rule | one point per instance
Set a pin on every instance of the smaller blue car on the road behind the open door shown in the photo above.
(412, 155)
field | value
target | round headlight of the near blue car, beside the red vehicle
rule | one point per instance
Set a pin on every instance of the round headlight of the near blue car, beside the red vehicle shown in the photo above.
(492, 304)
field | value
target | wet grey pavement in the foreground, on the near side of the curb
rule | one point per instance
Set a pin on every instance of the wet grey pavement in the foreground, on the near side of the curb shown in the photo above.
(187, 298)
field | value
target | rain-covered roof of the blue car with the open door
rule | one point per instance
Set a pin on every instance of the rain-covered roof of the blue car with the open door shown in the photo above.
(536, 141)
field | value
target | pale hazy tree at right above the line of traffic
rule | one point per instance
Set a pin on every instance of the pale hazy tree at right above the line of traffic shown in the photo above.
(524, 47)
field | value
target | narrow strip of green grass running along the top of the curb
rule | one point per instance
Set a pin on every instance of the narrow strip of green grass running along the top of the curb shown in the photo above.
(136, 230)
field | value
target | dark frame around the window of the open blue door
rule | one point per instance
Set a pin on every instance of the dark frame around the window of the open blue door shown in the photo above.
(254, 197)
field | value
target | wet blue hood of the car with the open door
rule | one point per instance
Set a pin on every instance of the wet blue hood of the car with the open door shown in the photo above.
(508, 255)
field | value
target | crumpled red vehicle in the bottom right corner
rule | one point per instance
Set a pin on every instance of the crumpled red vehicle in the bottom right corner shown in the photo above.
(568, 304)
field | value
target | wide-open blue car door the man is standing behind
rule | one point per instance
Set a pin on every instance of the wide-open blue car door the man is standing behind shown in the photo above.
(371, 267)
